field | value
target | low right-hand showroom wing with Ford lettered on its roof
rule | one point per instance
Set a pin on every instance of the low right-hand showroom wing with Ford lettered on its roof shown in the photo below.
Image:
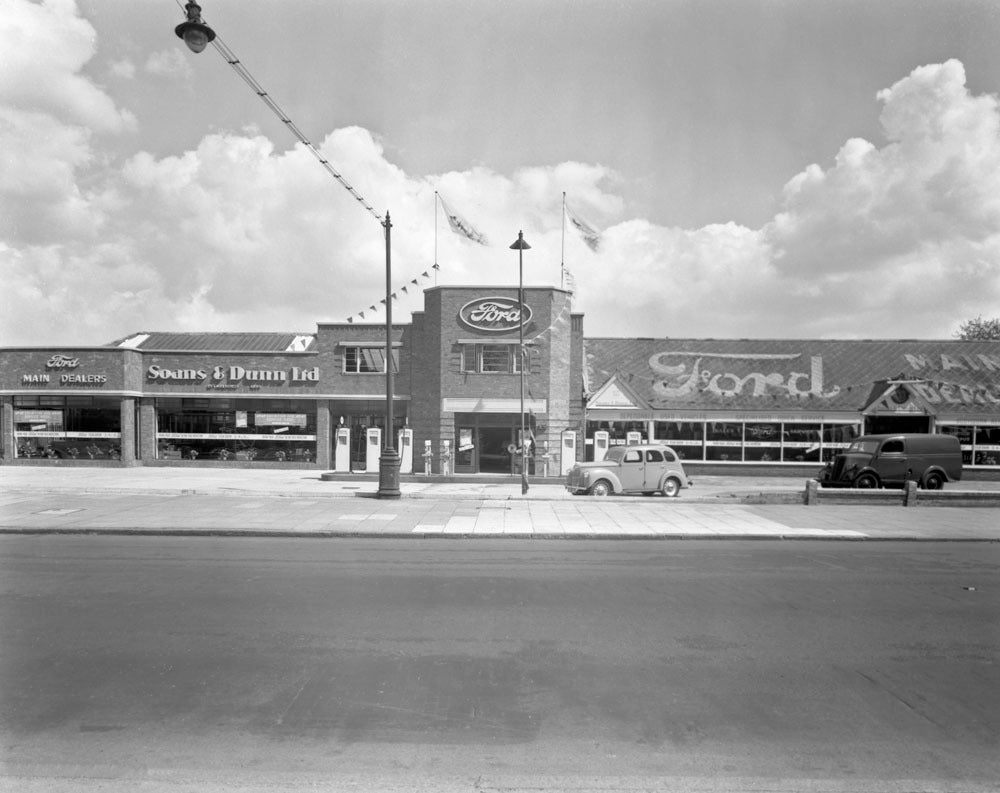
(789, 402)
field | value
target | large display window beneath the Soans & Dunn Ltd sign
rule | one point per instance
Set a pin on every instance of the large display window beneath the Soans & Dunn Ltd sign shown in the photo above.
(248, 430)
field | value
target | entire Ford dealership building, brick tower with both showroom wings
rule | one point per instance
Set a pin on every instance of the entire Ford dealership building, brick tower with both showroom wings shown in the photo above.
(317, 399)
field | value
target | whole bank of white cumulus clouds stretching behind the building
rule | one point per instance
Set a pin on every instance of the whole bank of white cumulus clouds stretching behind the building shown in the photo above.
(235, 233)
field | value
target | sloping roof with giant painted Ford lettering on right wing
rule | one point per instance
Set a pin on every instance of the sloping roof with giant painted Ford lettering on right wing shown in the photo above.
(768, 375)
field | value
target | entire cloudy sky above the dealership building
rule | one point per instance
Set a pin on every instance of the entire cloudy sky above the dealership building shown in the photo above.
(808, 169)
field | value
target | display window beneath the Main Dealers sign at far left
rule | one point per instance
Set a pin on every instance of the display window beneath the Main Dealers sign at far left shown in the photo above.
(67, 427)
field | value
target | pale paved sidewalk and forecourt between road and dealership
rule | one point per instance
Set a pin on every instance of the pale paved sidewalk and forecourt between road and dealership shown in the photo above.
(299, 503)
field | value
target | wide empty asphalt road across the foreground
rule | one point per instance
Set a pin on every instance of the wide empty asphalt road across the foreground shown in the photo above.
(198, 663)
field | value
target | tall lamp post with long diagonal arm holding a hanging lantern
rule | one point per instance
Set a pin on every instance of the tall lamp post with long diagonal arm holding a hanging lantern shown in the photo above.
(197, 35)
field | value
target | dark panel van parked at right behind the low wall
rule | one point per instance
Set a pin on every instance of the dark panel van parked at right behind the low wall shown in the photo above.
(892, 460)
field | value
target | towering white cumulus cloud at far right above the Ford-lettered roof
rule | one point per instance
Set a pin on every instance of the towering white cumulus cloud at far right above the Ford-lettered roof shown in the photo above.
(917, 220)
